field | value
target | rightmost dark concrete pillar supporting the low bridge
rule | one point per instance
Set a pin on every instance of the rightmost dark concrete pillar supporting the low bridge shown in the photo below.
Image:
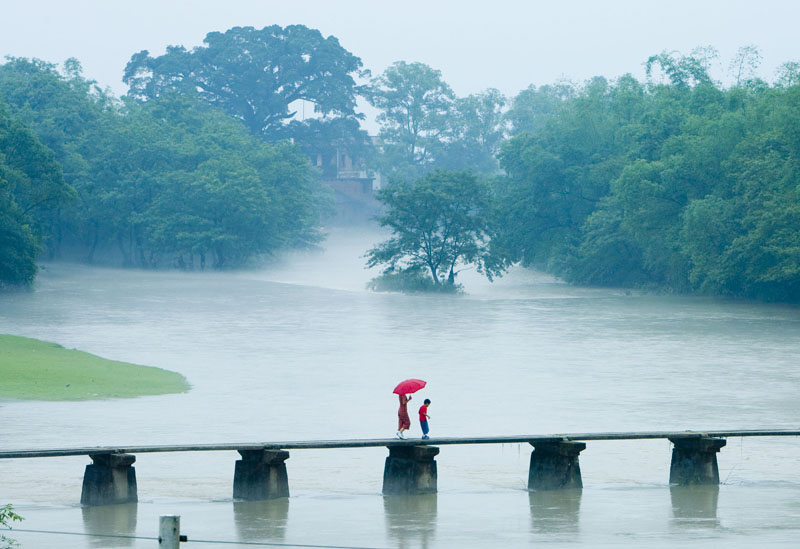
(694, 460)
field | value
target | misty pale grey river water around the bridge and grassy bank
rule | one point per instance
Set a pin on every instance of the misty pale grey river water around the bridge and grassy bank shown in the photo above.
(301, 350)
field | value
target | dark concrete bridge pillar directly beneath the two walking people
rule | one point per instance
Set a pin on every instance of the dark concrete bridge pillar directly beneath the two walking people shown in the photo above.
(410, 470)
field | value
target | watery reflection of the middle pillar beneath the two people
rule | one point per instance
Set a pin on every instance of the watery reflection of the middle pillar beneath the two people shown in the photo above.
(411, 520)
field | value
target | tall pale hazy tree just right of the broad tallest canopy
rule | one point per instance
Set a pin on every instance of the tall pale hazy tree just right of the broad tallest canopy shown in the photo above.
(415, 104)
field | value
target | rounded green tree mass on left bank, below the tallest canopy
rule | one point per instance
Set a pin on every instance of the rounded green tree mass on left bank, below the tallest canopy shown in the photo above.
(171, 181)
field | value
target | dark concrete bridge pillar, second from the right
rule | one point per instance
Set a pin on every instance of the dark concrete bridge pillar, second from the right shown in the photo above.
(554, 465)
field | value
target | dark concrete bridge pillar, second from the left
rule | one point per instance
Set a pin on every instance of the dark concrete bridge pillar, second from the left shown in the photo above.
(261, 474)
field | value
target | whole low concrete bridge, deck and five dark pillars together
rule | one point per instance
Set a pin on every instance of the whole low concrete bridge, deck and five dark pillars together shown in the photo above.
(410, 467)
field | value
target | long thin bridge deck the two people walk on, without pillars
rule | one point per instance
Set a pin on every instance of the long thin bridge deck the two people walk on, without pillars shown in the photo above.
(365, 443)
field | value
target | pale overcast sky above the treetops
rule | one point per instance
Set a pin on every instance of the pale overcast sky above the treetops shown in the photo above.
(506, 44)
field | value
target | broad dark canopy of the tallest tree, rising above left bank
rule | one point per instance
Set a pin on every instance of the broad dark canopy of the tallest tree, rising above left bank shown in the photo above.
(255, 75)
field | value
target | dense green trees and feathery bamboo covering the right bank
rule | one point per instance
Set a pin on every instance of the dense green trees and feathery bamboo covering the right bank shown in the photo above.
(680, 184)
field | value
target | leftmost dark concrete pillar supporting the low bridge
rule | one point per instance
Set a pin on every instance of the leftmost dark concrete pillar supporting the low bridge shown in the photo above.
(110, 479)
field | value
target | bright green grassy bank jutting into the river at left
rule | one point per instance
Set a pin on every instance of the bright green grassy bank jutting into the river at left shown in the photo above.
(38, 370)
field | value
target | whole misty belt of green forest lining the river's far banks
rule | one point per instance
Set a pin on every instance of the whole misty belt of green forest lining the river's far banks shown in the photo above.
(675, 182)
